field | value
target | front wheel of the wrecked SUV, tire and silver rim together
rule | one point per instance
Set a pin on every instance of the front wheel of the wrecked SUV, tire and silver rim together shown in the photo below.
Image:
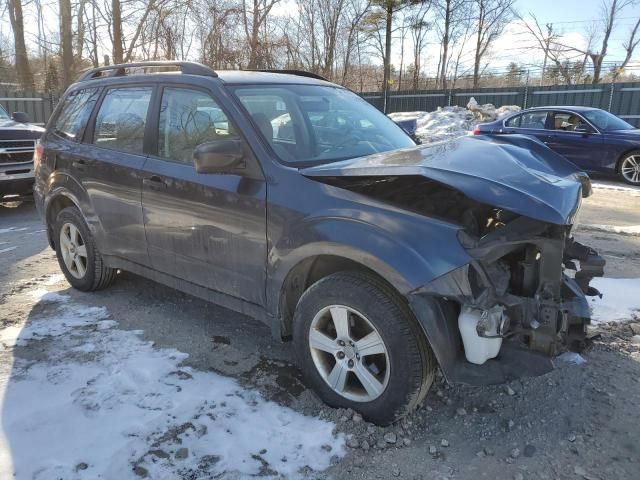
(404, 372)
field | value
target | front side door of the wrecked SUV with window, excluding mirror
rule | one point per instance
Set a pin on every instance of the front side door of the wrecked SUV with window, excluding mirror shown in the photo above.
(209, 229)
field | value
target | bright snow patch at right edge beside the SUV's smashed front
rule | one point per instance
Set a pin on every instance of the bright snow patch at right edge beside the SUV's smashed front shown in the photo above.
(620, 299)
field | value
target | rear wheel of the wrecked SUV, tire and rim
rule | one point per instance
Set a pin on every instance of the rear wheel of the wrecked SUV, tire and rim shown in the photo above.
(89, 272)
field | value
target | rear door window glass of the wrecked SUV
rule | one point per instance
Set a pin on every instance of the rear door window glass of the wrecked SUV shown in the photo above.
(122, 118)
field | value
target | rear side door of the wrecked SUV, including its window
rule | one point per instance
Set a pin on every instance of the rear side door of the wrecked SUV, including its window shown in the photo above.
(110, 166)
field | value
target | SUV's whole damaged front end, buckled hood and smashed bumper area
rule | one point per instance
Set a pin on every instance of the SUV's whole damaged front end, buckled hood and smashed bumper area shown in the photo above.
(520, 297)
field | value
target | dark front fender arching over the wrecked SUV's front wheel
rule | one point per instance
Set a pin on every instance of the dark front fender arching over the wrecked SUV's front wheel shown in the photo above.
(406, 249)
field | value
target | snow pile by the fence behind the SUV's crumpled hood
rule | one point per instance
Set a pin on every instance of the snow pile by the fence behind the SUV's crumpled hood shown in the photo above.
(451, 122)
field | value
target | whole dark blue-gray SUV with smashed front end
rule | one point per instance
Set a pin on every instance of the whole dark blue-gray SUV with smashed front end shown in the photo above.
(290, 199)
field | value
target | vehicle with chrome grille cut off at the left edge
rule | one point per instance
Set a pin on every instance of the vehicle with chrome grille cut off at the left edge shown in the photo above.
(17, 143)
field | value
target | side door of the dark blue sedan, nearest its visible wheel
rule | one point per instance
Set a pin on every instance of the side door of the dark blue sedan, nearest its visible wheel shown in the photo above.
(585, 149)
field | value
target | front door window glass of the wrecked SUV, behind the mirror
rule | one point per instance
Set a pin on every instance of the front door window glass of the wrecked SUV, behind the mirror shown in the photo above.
(189, 118)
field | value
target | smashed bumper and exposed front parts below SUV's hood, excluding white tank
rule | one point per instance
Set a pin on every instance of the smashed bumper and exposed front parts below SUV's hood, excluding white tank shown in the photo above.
(525, 269)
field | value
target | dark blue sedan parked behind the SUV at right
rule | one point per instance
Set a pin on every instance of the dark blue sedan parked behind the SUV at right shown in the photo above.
(593, 139)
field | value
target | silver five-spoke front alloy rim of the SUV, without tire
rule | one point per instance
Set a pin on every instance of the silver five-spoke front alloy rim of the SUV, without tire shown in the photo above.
(349, 353)
